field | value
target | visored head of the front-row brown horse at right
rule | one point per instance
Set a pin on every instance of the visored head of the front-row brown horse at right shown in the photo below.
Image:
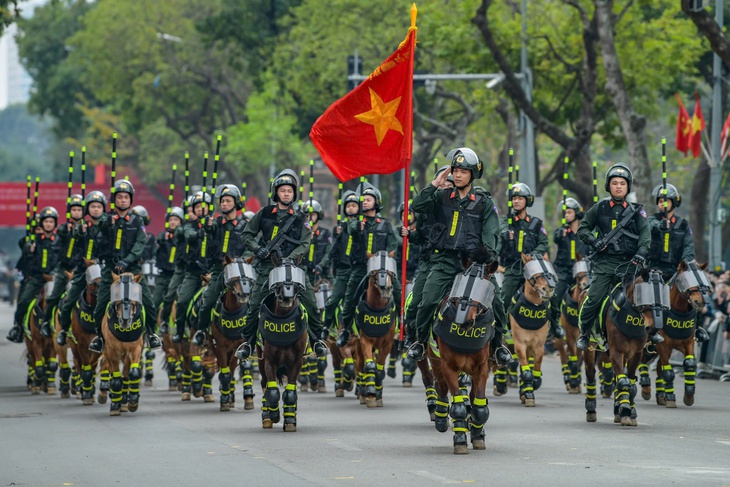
(648, 294)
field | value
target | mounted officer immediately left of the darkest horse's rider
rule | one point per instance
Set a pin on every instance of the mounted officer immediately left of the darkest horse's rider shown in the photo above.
(225, 233)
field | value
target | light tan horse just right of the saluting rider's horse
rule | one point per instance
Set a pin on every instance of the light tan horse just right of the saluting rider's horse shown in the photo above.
(528, 317)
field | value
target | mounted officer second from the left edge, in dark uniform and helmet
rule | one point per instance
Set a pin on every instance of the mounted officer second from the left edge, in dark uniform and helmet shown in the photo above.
(68, 260)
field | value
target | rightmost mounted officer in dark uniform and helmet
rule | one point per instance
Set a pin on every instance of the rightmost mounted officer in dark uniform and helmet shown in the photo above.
(671, 239)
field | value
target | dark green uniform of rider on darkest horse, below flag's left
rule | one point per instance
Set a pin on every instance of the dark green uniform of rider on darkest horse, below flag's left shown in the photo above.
(268, 222)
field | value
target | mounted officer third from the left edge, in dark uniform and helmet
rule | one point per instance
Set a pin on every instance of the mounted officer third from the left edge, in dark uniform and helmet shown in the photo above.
(89, 243)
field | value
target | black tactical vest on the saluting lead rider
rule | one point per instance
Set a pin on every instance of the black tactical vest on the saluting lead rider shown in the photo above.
(459, 229)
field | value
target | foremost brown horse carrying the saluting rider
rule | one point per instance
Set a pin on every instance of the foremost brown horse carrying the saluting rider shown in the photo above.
(460, 342)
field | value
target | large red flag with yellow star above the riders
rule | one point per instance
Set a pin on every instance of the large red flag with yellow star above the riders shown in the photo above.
(369, 130)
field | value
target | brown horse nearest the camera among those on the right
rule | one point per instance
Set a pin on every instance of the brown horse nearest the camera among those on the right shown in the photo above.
(630, 308)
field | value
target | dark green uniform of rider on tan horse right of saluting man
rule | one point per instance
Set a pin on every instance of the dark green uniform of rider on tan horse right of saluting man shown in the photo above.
(528, 236)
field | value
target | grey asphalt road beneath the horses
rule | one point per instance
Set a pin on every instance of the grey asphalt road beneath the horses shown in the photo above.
(49, 441)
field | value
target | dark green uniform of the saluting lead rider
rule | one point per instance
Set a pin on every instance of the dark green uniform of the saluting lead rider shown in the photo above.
(460, 224)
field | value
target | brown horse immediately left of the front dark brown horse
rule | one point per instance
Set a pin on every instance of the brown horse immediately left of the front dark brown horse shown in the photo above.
(229, 317)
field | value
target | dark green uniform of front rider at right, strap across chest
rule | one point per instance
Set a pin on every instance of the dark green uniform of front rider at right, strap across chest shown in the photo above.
(614, 260)
